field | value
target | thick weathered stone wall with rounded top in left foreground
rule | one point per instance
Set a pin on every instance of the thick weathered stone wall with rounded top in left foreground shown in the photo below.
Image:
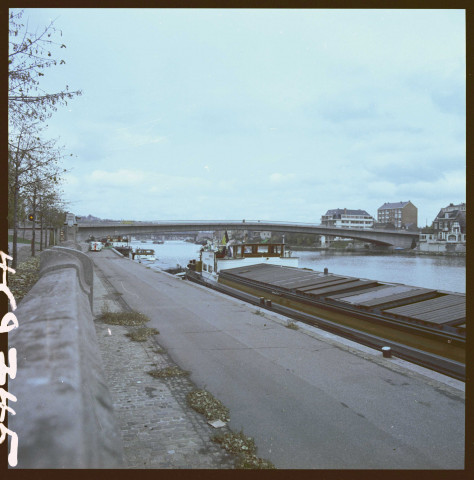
(64, 415)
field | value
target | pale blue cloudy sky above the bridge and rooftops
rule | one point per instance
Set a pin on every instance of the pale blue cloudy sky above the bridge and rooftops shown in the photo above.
(279, 115)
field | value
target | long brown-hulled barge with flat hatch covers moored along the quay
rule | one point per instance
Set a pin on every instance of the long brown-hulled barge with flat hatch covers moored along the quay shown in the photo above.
(423, 320)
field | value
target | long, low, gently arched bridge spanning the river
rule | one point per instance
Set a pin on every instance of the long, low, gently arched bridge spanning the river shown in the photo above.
(389, 238)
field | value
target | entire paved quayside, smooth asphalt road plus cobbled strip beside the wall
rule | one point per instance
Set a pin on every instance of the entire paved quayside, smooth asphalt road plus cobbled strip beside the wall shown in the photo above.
(346, 406)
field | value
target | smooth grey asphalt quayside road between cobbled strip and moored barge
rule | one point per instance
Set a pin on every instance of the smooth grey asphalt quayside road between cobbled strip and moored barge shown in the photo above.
(308, 399)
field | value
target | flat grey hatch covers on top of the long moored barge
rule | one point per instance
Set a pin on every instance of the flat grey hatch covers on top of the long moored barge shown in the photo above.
(404, 302)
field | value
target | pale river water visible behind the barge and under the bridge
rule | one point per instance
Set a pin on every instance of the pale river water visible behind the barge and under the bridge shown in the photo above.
(438, 272)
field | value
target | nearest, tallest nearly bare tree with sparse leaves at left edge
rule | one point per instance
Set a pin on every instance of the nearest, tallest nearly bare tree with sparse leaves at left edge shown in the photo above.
(33, 162)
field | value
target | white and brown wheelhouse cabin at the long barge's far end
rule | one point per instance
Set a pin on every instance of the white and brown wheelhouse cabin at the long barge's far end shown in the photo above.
(215, 258)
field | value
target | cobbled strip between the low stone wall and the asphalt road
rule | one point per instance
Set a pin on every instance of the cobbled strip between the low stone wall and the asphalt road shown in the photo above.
(158, 429)
